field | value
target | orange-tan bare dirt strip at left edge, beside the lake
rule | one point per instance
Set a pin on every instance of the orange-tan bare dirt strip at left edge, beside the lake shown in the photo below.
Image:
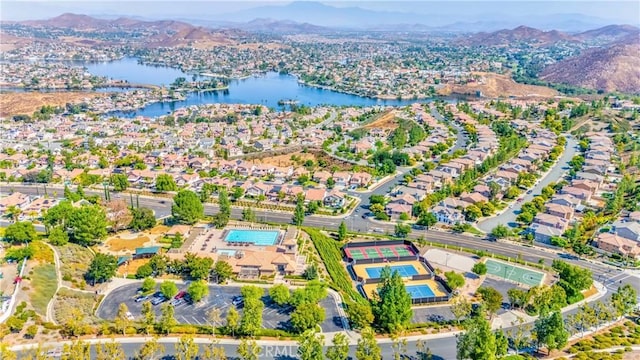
(28, 102)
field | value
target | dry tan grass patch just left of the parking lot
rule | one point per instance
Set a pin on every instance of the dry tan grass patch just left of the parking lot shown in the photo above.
(70, 304)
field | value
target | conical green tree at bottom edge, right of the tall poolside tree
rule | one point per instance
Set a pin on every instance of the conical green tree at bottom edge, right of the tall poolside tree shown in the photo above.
(478, 342)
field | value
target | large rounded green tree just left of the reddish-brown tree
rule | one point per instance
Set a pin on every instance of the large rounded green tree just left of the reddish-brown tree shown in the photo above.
(88, 225)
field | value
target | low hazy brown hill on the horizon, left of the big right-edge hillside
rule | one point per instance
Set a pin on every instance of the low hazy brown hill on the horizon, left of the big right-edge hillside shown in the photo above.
(519, 34)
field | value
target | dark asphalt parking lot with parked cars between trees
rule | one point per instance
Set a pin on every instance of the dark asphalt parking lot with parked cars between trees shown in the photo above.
(273, 316)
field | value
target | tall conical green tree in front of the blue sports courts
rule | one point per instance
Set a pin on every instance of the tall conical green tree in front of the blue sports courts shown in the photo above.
(392, 305)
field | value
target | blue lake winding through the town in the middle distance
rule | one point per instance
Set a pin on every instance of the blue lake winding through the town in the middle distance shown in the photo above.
(265, 89)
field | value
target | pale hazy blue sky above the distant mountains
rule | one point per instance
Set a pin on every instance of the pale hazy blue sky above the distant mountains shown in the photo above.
(616, 11)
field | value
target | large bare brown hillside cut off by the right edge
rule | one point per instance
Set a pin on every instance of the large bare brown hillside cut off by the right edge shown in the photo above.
(614, 68)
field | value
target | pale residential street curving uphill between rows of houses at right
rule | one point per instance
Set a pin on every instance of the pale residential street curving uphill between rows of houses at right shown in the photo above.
(509, 216)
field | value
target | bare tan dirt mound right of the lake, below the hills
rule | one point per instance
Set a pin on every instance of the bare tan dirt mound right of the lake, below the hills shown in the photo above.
(496, 85)
